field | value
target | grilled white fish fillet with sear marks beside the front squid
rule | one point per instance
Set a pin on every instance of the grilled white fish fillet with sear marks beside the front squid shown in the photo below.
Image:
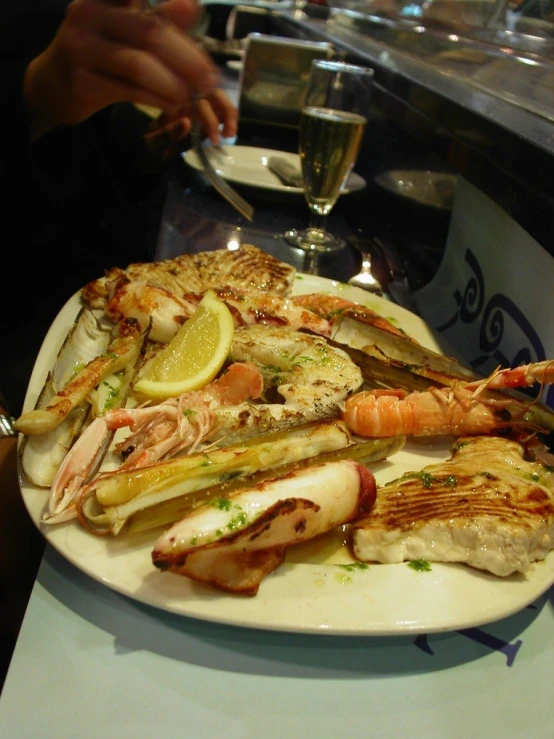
(486, 506)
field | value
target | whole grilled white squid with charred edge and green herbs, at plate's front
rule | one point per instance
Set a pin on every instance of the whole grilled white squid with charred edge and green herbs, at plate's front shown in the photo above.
(234, 542)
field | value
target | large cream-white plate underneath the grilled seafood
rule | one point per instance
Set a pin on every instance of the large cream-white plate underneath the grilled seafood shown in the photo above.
(310, 593)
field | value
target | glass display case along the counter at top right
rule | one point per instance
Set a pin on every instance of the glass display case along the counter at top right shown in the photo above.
(505, 48)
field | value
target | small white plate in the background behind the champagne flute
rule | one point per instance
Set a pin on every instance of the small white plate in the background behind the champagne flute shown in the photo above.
(247, 165)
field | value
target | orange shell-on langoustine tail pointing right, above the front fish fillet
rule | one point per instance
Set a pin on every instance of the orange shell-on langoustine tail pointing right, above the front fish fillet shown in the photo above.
(460, 410)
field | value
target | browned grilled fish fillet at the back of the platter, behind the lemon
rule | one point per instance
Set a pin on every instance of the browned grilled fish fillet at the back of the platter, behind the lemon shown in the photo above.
(248, 268)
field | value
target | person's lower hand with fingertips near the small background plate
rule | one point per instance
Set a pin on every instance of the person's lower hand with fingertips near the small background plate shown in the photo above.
(164, 136)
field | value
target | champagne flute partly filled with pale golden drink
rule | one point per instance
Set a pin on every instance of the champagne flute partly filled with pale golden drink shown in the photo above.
(332, 124)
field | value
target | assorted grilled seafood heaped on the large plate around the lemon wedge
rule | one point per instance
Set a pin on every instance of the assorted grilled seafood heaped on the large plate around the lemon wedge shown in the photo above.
(330, 431)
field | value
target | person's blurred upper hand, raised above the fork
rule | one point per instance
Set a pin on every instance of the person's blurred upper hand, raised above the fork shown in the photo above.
(108, 51)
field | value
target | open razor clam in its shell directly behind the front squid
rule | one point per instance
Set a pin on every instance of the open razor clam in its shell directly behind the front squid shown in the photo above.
(163, 493)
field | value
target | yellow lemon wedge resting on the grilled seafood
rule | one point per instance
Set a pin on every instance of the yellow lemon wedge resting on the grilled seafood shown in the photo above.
(194, 355)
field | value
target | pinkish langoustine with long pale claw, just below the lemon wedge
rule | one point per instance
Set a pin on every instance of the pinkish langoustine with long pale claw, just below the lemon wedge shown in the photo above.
(157, 432)
